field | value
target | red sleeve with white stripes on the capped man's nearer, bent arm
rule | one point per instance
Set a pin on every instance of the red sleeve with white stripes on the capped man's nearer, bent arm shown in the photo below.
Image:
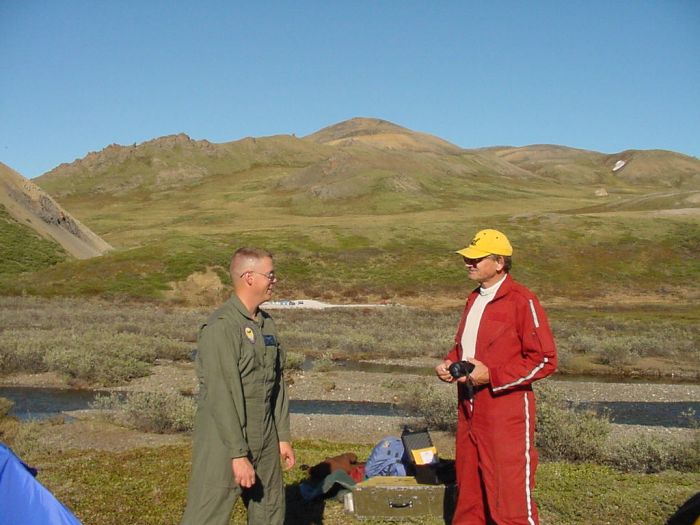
(538, 355)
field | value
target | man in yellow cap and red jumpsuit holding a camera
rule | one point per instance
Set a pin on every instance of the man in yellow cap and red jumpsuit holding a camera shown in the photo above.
(505, 335)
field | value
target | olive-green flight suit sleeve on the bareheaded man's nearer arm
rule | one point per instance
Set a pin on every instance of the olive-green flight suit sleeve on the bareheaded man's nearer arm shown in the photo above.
(219, 348)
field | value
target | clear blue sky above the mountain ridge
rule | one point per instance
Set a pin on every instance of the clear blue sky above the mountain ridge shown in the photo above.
(76, 76)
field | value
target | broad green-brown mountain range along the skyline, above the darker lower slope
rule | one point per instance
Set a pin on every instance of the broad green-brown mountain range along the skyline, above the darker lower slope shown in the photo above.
(361, 166)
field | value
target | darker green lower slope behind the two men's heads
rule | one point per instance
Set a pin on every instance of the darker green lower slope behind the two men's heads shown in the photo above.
(558, 255)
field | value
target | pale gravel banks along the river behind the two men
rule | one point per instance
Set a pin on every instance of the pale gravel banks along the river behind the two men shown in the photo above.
(337, 384)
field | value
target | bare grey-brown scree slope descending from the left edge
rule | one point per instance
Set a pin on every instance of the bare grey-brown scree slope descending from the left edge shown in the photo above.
(29, 205)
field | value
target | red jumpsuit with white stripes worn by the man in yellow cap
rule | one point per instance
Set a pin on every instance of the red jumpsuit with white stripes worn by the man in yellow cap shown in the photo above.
(495, 449)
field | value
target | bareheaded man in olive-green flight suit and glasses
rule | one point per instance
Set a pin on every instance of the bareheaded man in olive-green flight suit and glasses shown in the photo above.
(241, 429)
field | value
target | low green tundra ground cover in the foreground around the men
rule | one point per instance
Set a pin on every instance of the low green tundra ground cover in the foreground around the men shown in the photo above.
(148, 487)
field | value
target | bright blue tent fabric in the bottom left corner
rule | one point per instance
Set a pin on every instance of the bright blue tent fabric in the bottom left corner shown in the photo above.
(25, 501)
